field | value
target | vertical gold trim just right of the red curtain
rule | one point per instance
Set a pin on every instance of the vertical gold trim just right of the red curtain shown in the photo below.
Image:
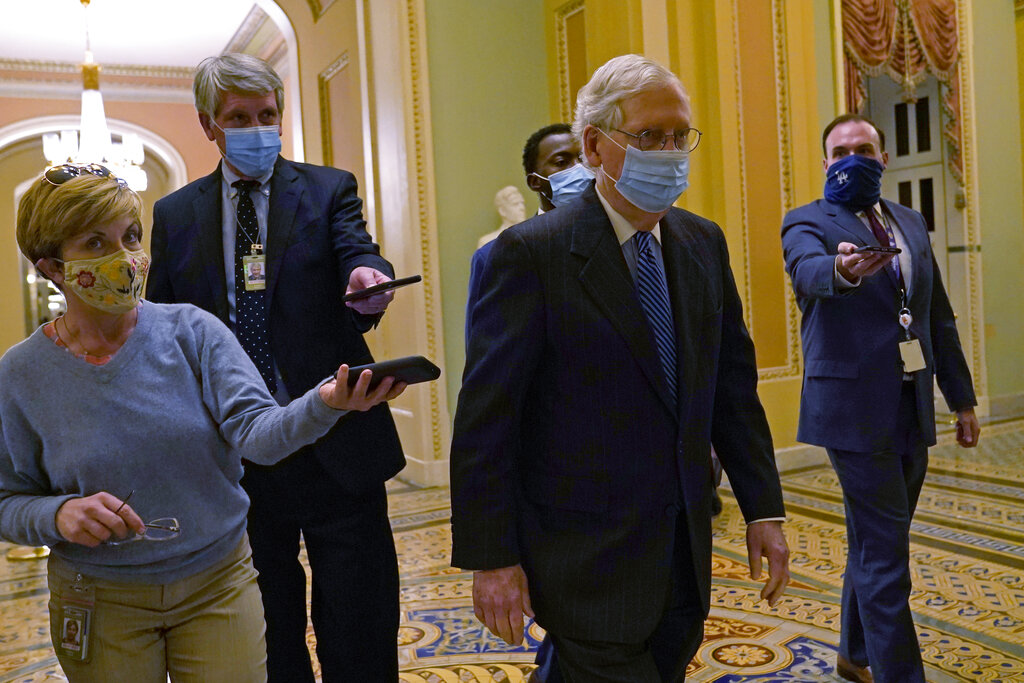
(976, 312)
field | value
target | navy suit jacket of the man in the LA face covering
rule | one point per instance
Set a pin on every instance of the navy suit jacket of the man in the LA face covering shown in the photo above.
(852, 367)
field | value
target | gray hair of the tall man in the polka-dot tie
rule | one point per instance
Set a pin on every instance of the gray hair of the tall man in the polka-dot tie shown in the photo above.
(234, 72)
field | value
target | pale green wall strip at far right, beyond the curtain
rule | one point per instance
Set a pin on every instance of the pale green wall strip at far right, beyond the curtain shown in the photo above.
(1001, 218)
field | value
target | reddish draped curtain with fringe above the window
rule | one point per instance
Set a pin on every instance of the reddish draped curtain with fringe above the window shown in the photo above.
(908, 40)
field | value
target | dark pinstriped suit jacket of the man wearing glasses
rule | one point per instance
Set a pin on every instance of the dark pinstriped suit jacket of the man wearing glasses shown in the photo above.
(569, 457)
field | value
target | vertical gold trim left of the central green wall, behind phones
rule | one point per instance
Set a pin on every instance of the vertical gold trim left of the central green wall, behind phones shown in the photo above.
(426, 216)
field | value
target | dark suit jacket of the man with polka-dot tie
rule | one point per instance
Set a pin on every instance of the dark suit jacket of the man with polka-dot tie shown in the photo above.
(316, 238)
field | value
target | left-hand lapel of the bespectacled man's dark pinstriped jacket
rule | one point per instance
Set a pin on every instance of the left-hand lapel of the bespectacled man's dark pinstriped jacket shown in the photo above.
(607, 279)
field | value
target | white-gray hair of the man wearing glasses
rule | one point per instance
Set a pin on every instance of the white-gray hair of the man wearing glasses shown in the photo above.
(600, 103)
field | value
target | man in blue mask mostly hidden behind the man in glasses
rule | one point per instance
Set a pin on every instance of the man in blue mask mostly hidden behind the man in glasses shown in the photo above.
(551, 161)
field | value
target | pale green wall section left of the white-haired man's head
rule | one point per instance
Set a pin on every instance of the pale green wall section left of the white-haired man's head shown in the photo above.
(489, 93)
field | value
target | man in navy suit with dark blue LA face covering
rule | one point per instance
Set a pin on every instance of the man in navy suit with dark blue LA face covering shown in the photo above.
(877, 329)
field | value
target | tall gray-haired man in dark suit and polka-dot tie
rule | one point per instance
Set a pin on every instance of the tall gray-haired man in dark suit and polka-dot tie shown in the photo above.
(304, 226)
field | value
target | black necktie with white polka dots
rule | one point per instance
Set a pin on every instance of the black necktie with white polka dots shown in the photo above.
(250, 310)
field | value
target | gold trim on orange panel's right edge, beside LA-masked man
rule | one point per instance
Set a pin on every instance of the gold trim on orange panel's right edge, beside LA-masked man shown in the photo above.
(792, 368)
